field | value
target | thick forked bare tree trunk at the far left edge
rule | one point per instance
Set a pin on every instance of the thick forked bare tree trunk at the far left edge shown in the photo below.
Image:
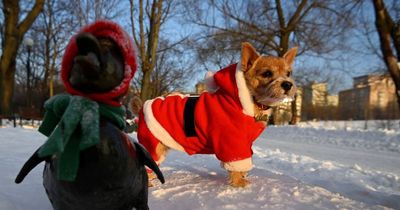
(13, 32)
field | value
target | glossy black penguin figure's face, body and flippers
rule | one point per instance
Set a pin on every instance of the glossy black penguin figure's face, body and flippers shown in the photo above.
(112, 174)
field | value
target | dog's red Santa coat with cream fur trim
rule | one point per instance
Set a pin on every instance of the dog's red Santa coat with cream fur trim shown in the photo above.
(224, 122)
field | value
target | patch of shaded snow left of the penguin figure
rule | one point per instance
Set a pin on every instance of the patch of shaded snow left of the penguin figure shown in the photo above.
(16, 146)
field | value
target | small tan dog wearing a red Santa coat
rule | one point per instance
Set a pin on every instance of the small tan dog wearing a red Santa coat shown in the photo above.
(224, 121)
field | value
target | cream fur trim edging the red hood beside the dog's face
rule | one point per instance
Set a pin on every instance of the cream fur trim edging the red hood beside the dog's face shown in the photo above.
(244, 93)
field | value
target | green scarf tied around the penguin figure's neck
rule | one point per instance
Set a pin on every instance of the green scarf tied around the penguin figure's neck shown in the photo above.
(72, 124)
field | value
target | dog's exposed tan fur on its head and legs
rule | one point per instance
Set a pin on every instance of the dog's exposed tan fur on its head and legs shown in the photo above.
(261, 86)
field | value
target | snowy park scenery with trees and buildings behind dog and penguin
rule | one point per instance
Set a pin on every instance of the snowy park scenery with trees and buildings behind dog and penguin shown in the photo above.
(340, 151)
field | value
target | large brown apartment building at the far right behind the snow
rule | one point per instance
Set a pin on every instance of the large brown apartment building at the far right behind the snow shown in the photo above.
(372, 97)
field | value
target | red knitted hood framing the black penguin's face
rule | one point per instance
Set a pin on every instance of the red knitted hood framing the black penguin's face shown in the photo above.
(113, 31)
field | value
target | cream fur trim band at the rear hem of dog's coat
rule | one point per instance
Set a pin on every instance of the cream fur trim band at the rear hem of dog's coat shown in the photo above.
(156, 128)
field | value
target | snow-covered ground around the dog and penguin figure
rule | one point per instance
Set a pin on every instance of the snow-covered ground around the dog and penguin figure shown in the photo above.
(310, 166)
